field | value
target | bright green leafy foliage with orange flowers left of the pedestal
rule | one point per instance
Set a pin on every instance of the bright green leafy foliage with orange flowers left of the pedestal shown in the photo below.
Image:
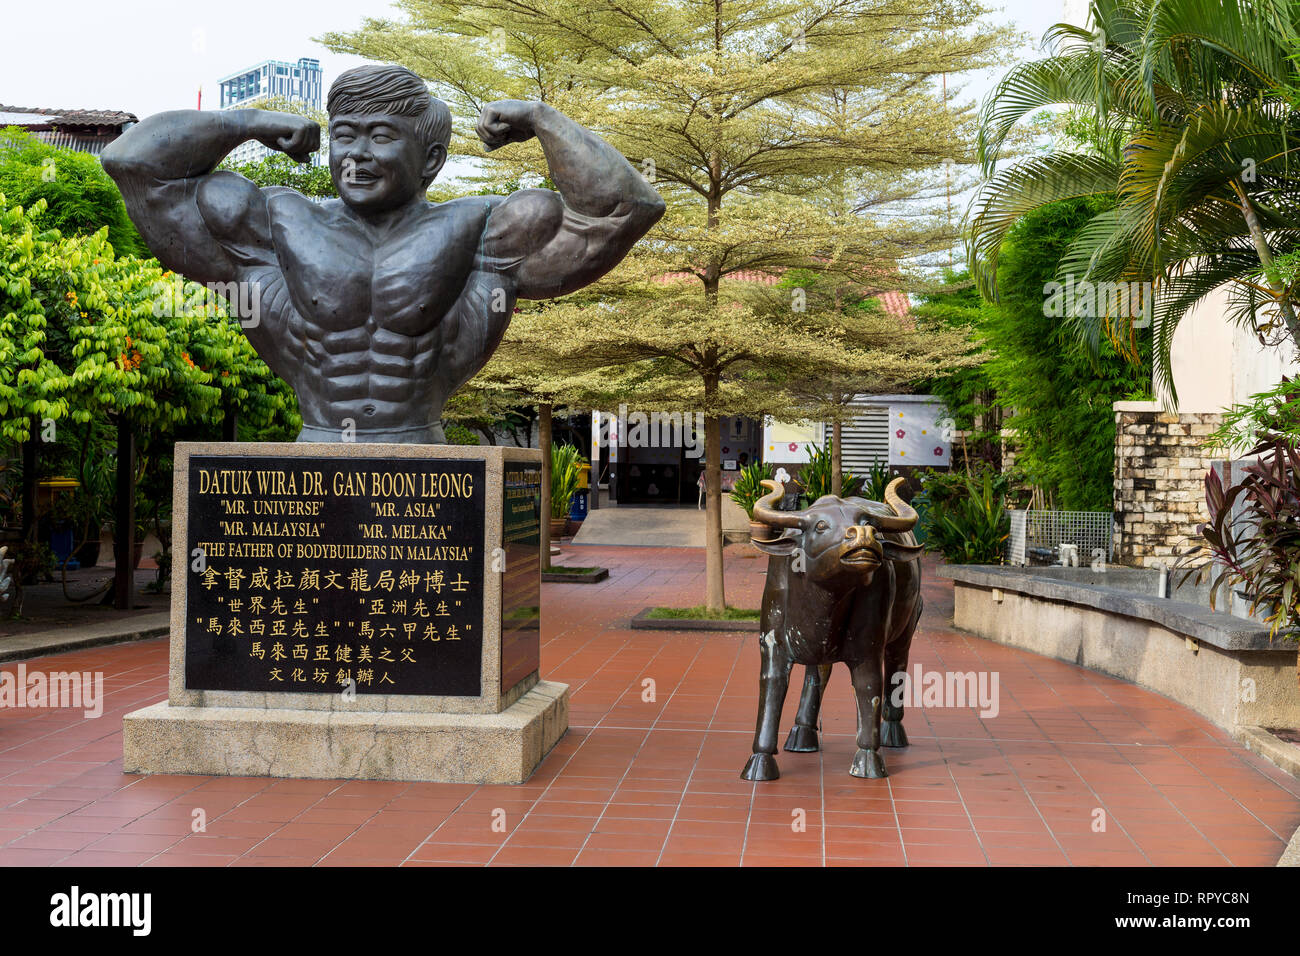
(89, 340)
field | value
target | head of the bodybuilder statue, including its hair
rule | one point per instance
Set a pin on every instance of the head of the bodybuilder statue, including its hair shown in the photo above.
(388, 137)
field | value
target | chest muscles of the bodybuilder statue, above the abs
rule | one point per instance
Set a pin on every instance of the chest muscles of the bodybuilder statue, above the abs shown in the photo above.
(339, 275)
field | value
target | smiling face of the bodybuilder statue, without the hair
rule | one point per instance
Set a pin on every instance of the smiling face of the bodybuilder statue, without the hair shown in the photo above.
(378, 161)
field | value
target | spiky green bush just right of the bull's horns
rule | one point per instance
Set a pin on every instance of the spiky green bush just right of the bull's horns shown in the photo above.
(965, 517)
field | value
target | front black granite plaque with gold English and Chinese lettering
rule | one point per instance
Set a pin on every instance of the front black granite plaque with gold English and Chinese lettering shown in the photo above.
(320, 576)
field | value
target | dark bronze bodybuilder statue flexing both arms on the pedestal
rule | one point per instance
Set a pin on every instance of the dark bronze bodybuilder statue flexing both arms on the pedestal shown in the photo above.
(376, 306)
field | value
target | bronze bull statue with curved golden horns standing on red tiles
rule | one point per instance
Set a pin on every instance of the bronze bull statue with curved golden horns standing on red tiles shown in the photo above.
(843, 585)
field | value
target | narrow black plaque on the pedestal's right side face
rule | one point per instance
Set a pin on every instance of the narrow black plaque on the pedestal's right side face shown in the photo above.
(522, 579)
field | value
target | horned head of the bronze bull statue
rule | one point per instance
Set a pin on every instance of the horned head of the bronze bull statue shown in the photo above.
(840, 538)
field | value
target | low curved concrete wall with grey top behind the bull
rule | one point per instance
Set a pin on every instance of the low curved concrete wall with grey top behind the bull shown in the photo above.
(1221, 667)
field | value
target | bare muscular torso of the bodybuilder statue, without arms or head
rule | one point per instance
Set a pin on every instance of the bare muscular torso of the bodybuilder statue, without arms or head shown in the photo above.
(375, 330)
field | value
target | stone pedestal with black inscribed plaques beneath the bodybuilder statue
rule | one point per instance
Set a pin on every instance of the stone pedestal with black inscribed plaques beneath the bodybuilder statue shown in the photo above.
(361, 612)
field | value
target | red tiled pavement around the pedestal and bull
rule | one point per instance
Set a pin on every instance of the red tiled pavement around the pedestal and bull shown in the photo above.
(1077, 768)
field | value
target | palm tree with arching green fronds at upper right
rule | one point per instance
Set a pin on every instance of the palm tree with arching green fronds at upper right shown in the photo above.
(1191, 128)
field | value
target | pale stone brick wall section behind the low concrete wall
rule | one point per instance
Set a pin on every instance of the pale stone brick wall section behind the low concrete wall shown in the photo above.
(1160, 475)
